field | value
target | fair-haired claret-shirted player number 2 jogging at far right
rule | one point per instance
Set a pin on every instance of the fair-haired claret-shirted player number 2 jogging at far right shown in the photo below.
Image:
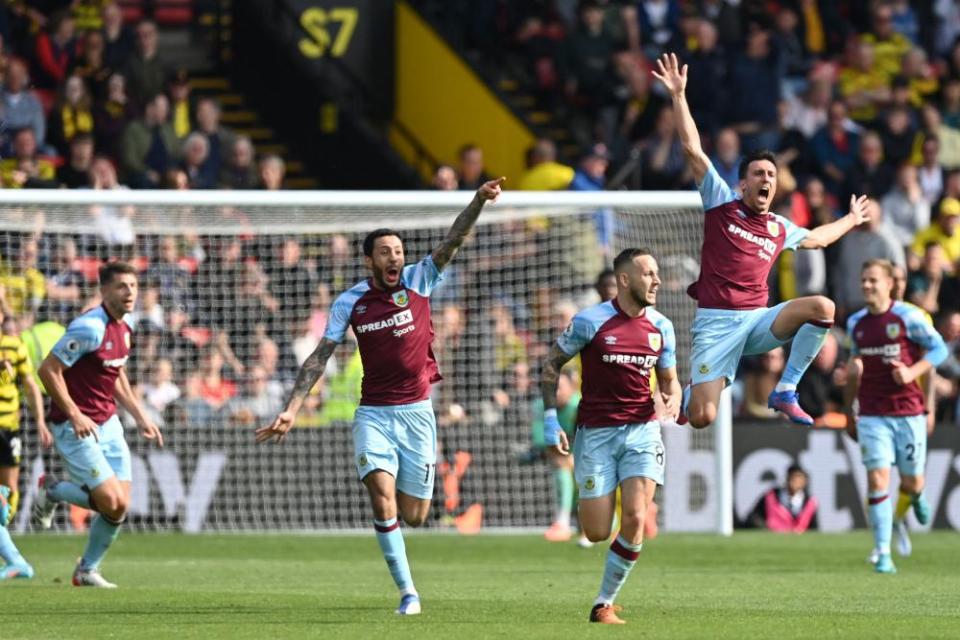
(891, 346)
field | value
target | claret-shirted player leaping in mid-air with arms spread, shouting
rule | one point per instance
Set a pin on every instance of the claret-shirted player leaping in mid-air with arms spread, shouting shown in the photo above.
(742, 240)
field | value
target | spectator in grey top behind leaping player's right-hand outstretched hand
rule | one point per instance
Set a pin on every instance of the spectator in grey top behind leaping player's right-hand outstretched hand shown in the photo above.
(873, 239)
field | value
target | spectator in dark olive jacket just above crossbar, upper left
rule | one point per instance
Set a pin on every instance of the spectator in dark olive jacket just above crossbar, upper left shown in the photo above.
(149, 146)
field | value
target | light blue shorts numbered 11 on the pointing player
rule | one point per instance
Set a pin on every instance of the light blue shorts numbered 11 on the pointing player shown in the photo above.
(401, 440)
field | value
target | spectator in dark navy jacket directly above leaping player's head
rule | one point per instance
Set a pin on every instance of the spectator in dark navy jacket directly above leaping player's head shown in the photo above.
(755, 79)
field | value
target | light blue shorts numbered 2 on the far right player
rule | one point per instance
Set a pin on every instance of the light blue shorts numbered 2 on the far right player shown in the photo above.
(888, 440)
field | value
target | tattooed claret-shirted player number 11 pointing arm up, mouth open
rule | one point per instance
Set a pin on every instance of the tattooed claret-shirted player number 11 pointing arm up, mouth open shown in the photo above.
(394, 431)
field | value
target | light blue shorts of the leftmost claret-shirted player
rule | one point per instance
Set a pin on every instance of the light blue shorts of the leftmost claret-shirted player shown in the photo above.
(91, 462)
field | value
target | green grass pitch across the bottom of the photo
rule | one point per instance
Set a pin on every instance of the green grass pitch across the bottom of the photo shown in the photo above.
(754, 585)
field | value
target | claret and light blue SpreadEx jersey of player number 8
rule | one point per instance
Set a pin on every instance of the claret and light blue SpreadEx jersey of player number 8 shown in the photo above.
(618, 354)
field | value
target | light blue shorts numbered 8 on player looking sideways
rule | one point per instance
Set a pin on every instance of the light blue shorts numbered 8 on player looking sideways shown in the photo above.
(603, 457)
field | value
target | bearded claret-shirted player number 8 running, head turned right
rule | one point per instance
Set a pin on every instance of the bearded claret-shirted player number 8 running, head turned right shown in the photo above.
(618, 440)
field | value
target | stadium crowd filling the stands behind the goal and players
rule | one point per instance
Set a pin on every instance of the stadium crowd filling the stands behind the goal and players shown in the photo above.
(854, 97)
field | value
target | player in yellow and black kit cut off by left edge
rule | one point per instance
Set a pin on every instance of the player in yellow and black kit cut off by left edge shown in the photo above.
(14, 364)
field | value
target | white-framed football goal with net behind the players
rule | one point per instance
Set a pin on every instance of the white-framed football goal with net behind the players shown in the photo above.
(246, 292)
